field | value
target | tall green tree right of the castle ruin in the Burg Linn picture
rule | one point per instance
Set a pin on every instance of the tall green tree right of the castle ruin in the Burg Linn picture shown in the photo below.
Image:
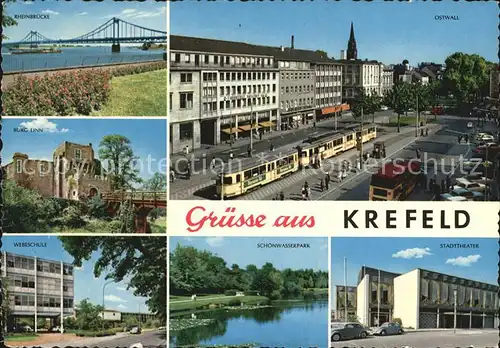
(116, 150)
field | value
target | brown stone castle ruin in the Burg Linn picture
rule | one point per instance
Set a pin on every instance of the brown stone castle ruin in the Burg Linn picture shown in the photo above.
(73, 173)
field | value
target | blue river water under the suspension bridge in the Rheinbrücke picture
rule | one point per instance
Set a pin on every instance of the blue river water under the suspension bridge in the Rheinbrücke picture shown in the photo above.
(75, 57)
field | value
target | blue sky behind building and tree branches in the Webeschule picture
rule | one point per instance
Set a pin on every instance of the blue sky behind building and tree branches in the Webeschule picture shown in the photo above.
(85, 284)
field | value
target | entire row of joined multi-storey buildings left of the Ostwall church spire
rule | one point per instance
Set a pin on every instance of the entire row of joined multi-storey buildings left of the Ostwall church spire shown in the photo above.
(219, 88)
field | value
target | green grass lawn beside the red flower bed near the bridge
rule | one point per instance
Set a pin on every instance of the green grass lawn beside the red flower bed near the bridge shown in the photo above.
(137, 95)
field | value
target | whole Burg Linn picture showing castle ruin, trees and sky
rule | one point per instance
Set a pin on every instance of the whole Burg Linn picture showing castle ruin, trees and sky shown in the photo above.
(84, 175)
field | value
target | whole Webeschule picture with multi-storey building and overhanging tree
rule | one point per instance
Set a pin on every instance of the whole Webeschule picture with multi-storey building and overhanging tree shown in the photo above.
(78, 291)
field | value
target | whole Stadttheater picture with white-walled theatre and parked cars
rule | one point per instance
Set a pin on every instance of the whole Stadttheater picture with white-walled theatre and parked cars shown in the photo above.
(414, 292)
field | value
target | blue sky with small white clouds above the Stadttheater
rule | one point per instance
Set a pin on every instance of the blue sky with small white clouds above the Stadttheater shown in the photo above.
(400, 255)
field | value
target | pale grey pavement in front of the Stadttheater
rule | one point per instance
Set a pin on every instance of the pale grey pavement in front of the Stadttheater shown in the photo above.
(441, 339)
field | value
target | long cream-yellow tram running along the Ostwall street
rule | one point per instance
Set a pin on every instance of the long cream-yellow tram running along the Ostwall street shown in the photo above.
(242, 176)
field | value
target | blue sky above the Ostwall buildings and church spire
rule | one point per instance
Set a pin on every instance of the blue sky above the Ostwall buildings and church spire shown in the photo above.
(388, 32)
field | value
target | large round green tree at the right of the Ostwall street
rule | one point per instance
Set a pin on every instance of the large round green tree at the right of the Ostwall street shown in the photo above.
(464, 77)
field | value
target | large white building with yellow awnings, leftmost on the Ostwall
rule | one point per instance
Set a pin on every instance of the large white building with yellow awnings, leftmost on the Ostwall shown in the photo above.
(218, 90)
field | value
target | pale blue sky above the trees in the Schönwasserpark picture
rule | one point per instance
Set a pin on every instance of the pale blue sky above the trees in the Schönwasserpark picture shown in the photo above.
(245, 251)
